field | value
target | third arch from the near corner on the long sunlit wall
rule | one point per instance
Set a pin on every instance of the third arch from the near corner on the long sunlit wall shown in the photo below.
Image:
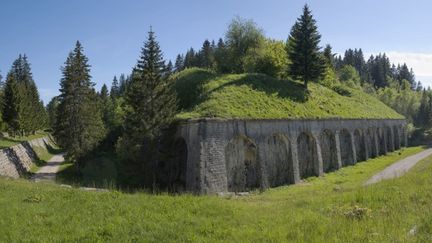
(307, 155)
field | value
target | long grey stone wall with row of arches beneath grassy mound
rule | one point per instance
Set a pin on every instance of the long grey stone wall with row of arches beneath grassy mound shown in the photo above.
(239, 155)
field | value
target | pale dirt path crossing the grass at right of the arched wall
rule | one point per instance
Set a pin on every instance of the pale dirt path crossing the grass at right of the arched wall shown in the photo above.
(399, 168)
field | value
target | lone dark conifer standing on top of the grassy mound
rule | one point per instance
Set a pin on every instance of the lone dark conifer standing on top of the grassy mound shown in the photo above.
(303, 50)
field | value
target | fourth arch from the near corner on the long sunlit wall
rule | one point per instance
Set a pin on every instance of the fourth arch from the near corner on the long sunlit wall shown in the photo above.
(328, 151)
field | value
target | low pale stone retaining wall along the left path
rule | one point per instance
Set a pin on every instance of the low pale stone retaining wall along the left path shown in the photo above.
(17, 160)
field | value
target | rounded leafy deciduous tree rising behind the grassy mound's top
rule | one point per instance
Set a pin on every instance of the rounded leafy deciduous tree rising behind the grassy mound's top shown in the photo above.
(242, 38)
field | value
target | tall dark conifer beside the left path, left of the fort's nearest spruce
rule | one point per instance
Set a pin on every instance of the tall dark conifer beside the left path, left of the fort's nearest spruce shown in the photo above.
(79, 127)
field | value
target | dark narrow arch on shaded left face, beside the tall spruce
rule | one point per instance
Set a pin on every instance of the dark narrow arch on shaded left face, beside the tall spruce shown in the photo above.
(179, 169)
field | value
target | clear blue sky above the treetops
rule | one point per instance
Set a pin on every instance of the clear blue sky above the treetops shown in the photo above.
(113, 31)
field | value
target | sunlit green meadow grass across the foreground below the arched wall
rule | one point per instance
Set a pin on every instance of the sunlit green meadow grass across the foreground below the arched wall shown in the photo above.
(333, 208)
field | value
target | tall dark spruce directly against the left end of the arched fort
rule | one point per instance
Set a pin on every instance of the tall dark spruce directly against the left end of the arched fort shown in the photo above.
(150, 106)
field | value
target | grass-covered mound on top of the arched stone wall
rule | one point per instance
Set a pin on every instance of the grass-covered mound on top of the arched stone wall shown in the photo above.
(203, 94)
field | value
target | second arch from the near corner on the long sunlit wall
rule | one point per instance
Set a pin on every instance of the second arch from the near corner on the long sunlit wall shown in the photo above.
(279, 161)
